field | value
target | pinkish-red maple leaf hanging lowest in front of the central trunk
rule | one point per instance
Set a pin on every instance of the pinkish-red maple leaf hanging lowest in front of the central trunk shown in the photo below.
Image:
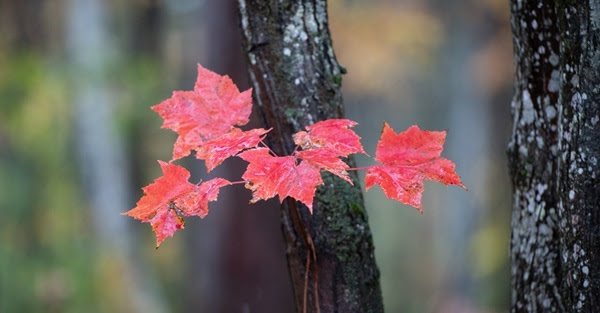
(269, 175)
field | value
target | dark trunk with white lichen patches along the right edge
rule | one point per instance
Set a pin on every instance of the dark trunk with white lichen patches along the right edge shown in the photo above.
(553, 155)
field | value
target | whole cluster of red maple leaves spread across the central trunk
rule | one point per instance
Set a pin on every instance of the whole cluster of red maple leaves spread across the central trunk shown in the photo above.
(207, 121)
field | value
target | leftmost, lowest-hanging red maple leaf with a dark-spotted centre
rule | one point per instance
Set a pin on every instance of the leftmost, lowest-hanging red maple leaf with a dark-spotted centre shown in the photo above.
(172, 194)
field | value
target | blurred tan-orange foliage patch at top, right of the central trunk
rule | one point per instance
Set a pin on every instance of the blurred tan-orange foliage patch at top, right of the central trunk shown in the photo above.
(387, 44)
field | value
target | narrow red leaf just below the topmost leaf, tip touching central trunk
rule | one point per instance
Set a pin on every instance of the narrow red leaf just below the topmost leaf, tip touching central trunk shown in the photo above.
(216, 150)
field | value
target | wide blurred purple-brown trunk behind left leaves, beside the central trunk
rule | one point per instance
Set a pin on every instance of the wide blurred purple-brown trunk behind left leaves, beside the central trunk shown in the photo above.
(234, 257)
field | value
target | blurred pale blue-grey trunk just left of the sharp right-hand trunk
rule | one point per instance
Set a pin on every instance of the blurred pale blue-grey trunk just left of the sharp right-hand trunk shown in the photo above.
(465, 100)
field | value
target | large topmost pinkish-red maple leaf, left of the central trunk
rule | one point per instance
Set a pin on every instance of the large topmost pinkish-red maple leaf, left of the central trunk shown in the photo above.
(212, 109)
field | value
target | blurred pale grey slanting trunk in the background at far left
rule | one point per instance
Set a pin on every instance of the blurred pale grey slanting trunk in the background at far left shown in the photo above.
(102, 157)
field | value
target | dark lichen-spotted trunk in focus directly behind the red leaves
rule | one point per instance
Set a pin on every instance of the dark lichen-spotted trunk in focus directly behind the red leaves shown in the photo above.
(296, 82)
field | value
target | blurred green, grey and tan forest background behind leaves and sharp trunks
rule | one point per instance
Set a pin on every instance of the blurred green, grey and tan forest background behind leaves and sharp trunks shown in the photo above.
(78, 141)
